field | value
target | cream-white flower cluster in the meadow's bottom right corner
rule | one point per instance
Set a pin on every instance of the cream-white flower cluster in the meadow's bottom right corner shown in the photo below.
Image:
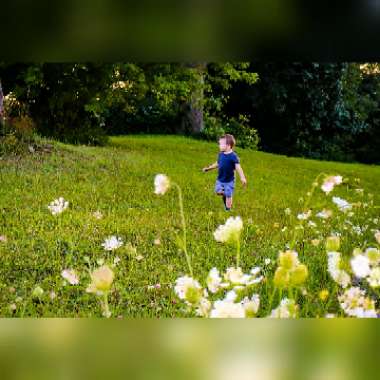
(355, 304)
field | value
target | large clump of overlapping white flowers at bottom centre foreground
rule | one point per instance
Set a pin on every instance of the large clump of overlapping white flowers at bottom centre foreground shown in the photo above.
(231, 284)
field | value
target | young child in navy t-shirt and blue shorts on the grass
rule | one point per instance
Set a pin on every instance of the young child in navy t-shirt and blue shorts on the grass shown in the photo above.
(227, 163)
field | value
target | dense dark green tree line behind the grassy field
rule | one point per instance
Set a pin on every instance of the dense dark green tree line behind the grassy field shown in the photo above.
(327, 111)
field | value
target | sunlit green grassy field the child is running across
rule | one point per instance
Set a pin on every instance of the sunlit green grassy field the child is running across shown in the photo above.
(117, 181)
